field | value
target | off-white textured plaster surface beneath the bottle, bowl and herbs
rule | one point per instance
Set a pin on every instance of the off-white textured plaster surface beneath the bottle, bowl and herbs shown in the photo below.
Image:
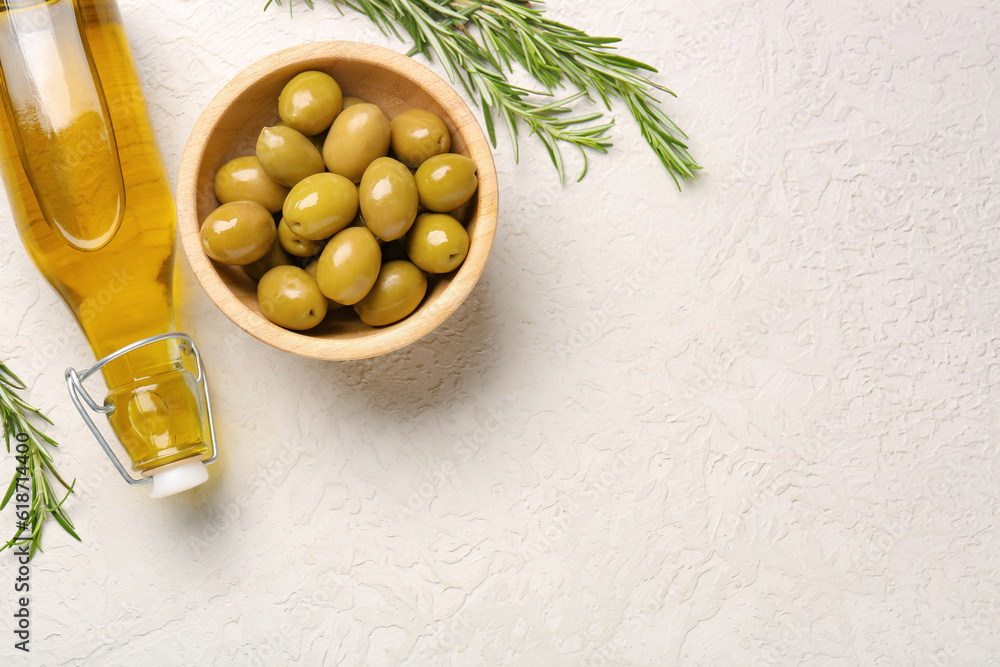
(752, 422)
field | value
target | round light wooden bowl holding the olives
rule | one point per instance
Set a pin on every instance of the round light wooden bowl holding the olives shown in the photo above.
(228, 128)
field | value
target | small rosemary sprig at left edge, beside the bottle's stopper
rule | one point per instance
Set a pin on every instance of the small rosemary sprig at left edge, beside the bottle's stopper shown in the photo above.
(34, 463)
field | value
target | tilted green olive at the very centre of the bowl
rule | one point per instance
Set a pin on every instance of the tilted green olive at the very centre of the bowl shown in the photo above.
(320, 205)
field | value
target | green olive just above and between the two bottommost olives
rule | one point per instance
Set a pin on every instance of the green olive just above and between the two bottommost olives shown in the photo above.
(349, 265)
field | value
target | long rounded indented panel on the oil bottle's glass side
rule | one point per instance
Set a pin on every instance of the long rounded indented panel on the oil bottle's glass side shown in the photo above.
(60, 122)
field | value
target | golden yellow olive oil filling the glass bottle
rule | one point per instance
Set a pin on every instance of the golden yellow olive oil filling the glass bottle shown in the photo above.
(93, 206)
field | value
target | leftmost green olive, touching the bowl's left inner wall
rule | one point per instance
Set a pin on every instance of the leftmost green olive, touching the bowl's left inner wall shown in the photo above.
(238, 232)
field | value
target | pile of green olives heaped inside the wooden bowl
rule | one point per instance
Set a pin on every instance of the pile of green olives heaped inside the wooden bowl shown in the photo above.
(322, 217)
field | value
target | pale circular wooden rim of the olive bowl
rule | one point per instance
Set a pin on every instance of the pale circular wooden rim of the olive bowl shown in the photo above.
(380, 340)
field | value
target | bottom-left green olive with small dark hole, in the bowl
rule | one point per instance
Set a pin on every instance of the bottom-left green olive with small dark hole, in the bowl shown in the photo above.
(290, 297)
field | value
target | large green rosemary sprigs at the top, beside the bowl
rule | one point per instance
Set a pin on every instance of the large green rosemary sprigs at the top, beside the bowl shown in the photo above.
(477, 41)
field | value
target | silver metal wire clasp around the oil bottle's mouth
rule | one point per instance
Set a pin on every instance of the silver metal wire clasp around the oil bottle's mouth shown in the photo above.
(79, 395)
